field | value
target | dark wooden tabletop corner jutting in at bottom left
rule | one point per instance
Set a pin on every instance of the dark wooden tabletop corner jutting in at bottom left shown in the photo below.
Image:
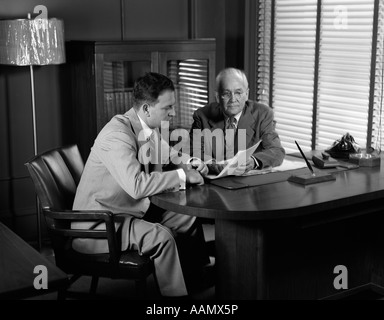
(17, 262)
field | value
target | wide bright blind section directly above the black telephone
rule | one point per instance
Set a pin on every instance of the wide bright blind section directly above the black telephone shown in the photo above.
(344, 70)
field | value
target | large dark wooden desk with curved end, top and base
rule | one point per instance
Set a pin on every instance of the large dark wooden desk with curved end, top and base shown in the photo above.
(282, 240)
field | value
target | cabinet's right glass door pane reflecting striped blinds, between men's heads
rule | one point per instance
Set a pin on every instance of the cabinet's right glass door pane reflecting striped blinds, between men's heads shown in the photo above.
(191, 87)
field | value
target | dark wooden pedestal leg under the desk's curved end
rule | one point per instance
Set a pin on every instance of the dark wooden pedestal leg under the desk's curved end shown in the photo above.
(240, 260)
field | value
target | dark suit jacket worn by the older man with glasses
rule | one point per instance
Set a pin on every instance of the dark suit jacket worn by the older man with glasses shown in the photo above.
(258, 121)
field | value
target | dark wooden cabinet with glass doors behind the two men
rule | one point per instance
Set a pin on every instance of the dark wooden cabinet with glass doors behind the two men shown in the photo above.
(103, 74)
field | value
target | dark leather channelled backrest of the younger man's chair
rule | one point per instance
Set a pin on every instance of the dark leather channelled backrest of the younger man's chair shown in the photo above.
(56, 174)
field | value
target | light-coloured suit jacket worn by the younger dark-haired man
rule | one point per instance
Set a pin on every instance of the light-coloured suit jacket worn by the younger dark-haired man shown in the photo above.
(115, 178)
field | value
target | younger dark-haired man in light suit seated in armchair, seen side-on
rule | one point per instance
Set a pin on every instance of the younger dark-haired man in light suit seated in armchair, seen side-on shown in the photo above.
(118, 177)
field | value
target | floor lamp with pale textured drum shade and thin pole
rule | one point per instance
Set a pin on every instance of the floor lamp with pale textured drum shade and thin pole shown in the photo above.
(32, 42)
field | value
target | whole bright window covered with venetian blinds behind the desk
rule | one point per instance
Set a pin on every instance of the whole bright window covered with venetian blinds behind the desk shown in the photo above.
(320, 67)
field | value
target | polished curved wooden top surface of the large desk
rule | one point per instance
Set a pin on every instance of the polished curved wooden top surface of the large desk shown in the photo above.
(277, 200)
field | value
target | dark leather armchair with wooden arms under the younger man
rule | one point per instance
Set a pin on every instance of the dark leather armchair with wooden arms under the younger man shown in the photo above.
(56, 174)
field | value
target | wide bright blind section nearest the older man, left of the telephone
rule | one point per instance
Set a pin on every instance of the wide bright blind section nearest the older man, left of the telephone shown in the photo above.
(293, 71)
